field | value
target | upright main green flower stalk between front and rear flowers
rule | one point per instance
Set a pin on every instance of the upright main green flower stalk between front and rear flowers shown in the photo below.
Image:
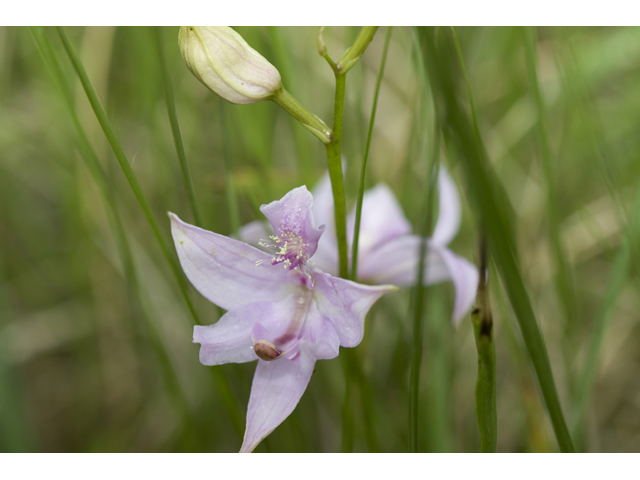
(335, 173)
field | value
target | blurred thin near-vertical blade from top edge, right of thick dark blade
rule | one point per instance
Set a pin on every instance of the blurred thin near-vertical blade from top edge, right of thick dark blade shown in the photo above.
(563, 273)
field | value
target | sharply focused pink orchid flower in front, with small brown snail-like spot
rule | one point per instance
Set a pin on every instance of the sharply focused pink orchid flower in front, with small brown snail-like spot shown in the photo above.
(281, 312)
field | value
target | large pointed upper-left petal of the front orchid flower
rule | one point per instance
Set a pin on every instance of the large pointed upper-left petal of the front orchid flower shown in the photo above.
(227, 272)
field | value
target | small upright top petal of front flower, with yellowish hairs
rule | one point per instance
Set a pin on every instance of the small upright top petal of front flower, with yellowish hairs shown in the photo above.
(292, 215)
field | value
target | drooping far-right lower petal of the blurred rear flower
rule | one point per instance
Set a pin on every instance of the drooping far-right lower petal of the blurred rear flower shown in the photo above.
(465, 280)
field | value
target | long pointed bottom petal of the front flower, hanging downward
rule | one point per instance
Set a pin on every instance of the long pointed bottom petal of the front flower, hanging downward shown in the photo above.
(276, 390)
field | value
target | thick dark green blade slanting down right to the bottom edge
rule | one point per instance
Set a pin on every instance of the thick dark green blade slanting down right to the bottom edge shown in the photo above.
(500, 238)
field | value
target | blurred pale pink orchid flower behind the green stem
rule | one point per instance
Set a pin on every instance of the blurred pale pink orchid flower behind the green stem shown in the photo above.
(387, 251)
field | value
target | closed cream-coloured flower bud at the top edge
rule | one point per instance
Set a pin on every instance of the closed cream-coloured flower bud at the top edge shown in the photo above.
(227, 65)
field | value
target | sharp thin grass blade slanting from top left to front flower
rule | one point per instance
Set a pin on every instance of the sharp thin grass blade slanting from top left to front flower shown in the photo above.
(126, 168)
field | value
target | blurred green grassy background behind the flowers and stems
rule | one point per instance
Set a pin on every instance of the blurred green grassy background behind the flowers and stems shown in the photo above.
(90, 362)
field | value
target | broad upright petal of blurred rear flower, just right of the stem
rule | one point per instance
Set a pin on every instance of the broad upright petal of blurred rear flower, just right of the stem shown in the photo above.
(382, 219)
